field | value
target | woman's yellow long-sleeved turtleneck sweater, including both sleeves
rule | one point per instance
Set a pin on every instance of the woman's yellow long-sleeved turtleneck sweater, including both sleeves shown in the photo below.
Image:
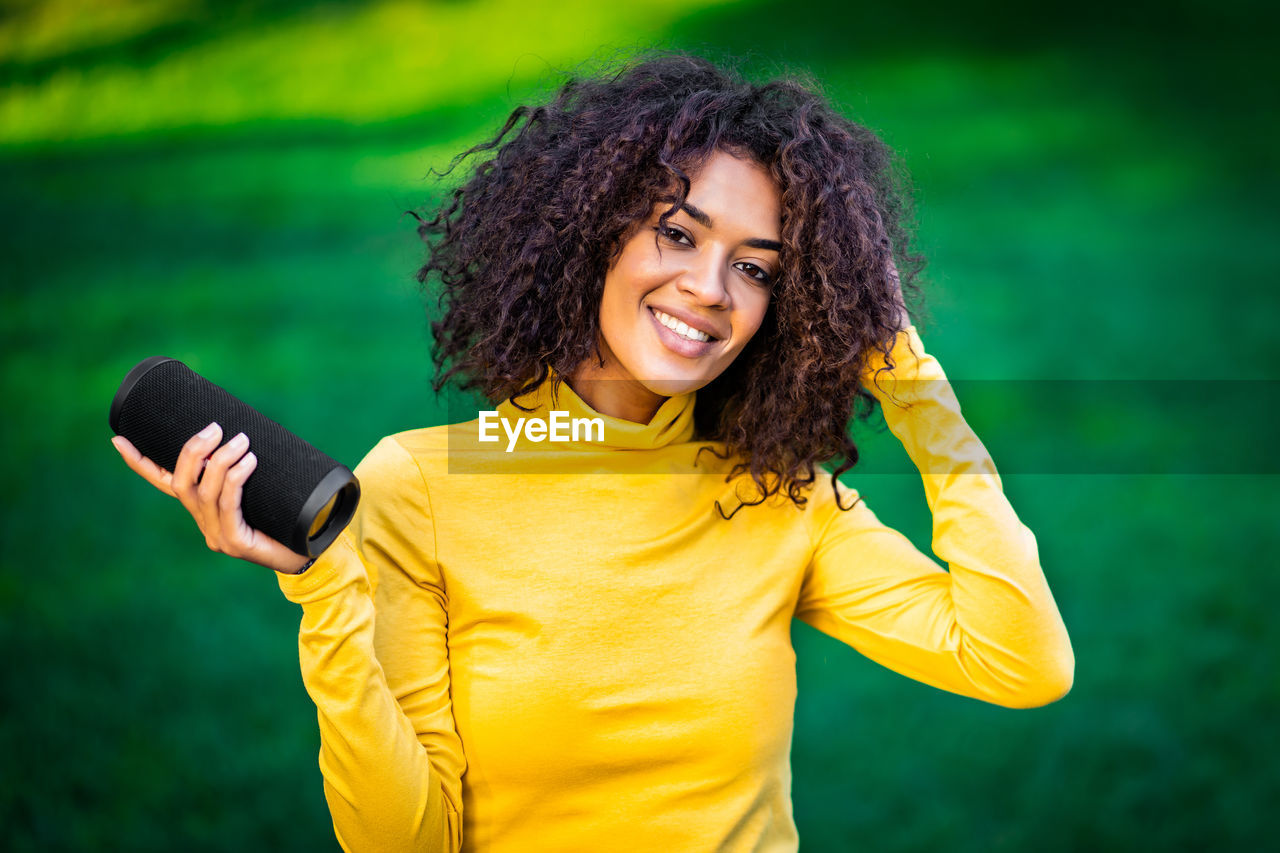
(568, 649)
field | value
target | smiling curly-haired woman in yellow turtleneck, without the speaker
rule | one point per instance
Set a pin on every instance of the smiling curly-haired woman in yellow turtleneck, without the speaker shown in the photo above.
(586, 646)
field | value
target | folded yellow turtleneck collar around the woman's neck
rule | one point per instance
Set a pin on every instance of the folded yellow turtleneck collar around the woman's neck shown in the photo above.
(671, 425)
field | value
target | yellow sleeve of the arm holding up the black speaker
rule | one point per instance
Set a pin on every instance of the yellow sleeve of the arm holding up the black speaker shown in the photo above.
(376, 662)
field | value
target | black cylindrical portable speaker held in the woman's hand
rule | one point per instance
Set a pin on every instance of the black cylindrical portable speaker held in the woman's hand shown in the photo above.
(296, 495)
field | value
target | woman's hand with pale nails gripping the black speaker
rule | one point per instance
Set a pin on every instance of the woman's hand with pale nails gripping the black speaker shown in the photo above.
(209, 481)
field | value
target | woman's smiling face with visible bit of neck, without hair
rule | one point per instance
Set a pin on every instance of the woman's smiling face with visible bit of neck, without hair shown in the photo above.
(678, 312)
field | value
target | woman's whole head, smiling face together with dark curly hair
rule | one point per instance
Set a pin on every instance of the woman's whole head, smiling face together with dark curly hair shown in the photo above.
(812, 198)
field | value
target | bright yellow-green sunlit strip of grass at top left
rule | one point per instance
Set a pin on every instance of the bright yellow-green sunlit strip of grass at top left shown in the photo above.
(351, 63)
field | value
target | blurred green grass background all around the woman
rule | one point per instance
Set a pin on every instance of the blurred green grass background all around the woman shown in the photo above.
(225, 183)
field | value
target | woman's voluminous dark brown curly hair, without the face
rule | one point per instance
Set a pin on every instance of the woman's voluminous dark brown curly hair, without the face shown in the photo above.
(523, 247)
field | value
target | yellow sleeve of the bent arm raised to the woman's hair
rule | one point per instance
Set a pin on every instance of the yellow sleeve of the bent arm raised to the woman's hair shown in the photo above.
(988, 630)
